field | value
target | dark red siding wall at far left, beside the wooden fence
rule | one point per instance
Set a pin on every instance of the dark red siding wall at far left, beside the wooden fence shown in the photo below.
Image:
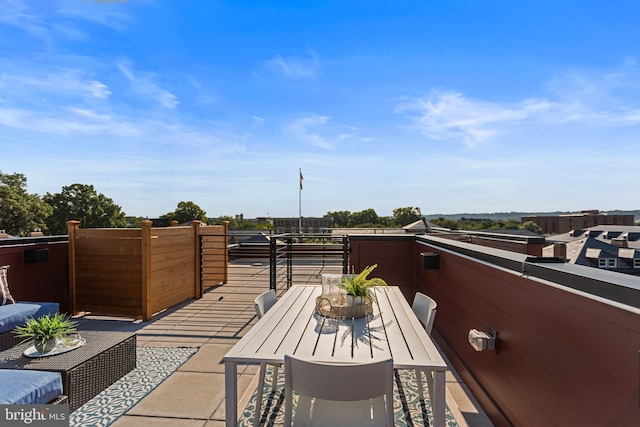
(39, 281)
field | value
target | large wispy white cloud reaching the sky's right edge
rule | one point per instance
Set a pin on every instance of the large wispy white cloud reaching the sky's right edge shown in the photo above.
(607, 99)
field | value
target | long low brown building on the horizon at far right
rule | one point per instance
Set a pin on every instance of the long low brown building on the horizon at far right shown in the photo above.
(558, 224)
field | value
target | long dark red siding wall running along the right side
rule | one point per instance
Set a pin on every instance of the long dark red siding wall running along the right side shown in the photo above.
(564, 359)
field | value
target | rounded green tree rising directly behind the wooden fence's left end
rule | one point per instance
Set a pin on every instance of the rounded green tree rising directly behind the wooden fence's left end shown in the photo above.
(82, 202)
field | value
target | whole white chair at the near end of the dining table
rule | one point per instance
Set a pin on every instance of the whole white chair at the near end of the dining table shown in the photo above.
(339, 394)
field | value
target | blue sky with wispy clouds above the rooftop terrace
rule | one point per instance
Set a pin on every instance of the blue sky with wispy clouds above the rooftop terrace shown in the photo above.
(450, 106)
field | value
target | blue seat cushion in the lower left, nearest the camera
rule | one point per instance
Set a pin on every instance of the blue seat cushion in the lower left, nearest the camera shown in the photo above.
(29, 387)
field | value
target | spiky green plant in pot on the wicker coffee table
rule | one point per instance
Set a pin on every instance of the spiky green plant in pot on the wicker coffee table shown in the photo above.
(45, 331)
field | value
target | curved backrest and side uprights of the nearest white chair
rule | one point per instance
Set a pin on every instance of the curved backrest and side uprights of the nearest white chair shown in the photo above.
(339, 382)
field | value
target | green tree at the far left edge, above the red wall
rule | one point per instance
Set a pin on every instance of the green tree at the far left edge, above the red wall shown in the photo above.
(20, 212)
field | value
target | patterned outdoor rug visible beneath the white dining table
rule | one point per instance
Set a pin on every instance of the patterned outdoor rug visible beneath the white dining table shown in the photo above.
(409, 410)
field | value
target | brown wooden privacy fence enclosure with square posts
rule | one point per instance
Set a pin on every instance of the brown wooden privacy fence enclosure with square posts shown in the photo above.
(140, 271)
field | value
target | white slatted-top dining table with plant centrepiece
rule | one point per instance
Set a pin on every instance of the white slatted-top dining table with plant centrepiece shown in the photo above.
(292, 327)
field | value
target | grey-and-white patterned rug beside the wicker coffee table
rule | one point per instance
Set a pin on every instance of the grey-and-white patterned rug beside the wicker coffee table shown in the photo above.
(154, 365)
